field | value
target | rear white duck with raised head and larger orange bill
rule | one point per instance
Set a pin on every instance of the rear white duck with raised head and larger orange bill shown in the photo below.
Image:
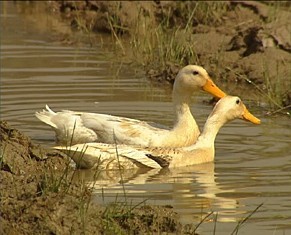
(82, 127)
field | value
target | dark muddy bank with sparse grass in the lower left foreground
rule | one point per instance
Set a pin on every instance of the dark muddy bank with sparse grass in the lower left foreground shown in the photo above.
(38, 196)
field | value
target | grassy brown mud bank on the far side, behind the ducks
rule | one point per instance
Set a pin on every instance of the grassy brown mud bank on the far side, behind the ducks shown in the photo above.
(245, 45)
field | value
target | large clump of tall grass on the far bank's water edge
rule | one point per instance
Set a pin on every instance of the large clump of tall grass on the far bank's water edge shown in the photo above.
(154, 45)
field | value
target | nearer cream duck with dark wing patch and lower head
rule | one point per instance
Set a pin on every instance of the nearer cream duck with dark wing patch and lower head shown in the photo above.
(114, 156)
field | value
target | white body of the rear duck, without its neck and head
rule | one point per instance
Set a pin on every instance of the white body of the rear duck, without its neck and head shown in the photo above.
(103, 128)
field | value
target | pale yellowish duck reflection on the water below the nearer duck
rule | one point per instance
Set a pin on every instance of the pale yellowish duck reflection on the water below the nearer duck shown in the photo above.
(193, 191)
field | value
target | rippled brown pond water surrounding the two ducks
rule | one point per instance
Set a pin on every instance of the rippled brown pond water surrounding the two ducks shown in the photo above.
(252, 164)
